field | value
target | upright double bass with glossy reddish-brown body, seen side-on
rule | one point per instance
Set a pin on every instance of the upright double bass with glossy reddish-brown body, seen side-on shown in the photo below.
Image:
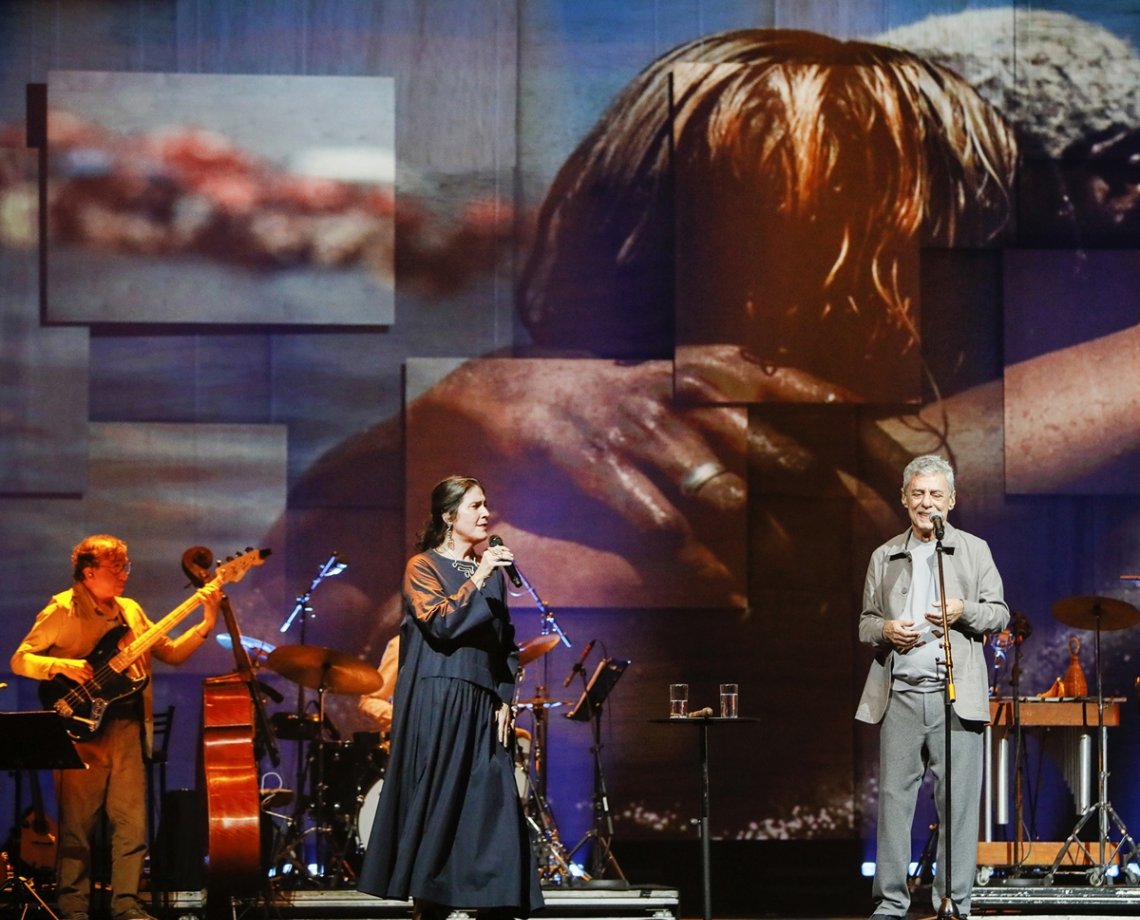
(233, 722)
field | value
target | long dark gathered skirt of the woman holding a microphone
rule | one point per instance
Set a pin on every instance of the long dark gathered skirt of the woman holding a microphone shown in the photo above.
(450, 826)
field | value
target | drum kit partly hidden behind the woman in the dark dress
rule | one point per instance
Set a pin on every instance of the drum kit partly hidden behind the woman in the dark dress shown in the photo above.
(343, 779)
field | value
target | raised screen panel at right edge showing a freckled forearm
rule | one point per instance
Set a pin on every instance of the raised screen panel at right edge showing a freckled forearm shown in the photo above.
(1071, 312)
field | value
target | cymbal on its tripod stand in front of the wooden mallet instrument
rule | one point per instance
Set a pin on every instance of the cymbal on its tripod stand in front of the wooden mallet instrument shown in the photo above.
(1100, 615)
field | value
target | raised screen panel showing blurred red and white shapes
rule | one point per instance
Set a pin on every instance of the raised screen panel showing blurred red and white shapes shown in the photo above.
(194, 199)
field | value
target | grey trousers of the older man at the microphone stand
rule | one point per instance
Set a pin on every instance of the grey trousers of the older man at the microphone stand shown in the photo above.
(915, 724)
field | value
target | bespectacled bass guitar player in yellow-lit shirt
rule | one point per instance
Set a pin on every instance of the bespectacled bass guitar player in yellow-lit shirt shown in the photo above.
(60, 646)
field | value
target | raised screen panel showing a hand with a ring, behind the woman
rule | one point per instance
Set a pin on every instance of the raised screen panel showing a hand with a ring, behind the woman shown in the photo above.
(607, 492)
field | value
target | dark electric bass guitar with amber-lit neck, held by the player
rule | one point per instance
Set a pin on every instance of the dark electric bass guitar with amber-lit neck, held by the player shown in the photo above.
(113, 661)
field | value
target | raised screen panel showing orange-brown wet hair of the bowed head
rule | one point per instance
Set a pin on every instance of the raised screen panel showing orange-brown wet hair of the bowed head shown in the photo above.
(775, 302)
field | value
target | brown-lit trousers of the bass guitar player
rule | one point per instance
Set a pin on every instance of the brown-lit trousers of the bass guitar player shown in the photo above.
(115, 783)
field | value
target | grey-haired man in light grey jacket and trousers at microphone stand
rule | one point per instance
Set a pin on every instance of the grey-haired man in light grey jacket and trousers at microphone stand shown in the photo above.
(907, 688)
